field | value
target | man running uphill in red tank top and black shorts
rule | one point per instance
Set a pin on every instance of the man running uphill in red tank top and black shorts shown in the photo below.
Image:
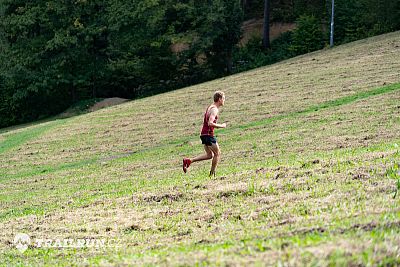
(207, 135)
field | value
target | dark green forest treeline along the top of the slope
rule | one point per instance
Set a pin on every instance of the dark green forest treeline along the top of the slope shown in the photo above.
(56, 53)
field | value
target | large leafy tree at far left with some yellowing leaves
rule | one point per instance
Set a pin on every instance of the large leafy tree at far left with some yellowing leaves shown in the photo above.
(56, 53)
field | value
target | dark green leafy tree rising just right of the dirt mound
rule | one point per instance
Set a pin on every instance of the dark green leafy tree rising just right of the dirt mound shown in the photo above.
(140, 58)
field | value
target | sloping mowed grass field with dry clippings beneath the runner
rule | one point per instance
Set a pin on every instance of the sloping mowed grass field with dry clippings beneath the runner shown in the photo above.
(308, 176)
